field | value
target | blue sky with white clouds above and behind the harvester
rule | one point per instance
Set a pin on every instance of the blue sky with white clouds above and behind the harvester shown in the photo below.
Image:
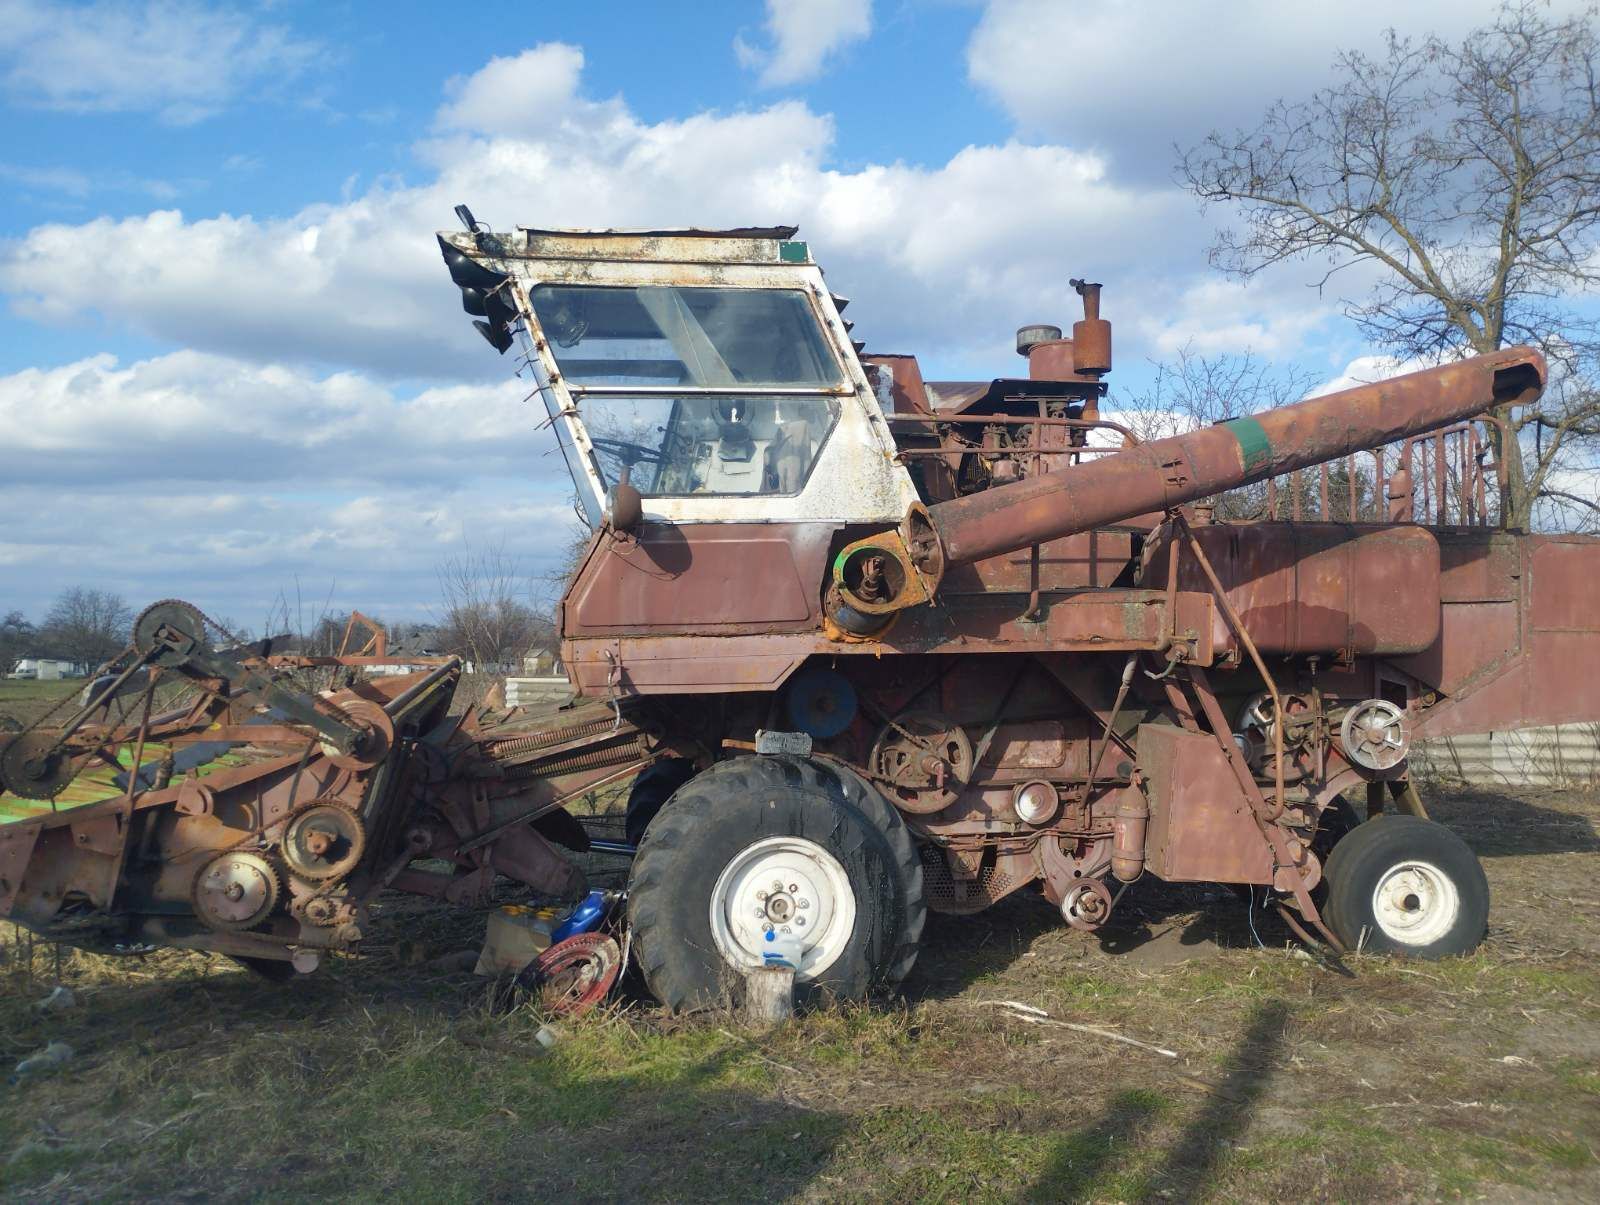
(233, 366)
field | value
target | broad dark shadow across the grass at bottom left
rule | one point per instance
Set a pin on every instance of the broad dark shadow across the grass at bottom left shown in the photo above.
(417, 1084)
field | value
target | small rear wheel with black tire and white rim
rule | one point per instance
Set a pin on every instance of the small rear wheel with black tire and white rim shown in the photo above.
(1407, 886)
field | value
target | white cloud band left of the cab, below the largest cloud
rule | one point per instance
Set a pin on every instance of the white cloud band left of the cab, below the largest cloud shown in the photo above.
(198, 417)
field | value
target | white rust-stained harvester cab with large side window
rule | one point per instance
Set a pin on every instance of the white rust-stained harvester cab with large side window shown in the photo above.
(692, 377)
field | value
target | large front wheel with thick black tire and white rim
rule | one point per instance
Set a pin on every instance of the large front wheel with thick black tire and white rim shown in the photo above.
(846, 868)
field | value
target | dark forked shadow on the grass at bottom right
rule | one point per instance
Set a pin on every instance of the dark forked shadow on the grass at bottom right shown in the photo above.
(1098, 1159)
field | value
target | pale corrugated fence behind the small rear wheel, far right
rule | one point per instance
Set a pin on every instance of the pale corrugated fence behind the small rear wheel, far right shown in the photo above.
(1564, 756)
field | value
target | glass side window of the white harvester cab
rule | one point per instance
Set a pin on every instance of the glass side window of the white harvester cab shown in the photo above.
(662, 377)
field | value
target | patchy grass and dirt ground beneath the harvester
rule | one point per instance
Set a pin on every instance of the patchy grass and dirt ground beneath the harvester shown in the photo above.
(386, 1078)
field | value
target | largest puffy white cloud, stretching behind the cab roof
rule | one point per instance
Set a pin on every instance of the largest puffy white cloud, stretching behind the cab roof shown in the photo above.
(942, 258)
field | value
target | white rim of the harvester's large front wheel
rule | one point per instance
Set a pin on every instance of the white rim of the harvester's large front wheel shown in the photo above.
(785, 887)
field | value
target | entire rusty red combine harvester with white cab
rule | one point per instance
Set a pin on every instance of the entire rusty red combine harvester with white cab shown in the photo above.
(871, 646)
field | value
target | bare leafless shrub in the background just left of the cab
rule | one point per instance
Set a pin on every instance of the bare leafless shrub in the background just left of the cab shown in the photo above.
(487, 615)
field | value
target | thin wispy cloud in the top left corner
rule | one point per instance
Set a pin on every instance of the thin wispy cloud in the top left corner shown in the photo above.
(180, 60)
